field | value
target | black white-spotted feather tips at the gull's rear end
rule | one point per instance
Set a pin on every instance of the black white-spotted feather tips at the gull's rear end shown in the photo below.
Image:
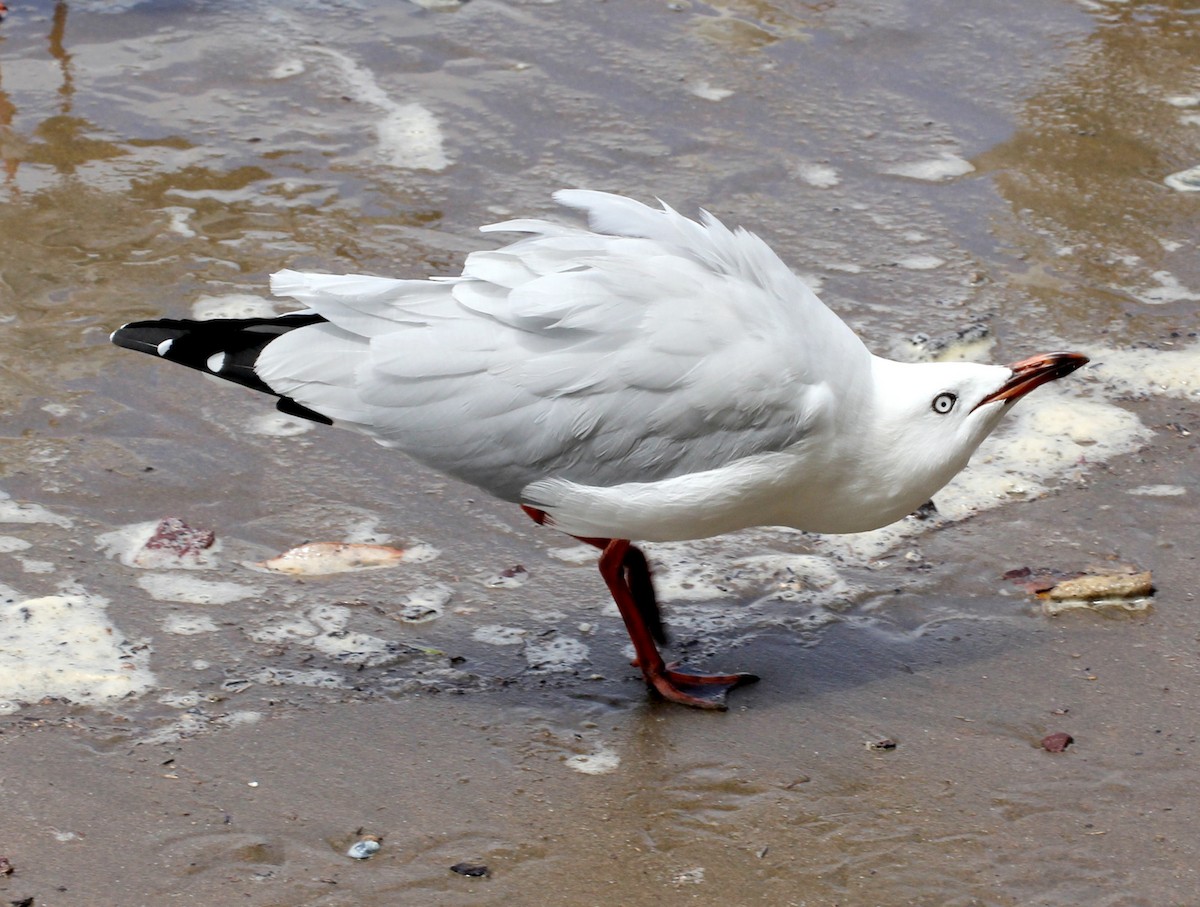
(226, 347)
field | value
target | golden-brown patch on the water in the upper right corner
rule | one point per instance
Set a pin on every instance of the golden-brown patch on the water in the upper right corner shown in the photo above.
(1085, 171)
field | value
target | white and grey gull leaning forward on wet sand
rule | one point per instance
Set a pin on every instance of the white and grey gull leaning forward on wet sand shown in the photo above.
(645, 379)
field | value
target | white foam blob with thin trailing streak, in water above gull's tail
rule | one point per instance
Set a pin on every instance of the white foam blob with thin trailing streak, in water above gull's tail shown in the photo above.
(410, 136)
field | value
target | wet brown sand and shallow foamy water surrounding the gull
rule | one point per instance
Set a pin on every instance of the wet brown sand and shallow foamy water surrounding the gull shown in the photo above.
(1001, 179)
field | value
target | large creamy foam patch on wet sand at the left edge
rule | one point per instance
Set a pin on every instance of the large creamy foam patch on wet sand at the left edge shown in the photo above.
(67, 646)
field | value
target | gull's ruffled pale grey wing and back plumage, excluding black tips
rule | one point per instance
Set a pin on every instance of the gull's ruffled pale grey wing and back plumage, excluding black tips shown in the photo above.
(650, 349)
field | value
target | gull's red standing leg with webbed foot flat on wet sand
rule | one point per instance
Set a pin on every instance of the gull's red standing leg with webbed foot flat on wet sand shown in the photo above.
(703, 692)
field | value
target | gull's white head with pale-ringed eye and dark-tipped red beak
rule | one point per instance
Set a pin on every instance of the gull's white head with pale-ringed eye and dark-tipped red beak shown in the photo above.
(931, 417)
